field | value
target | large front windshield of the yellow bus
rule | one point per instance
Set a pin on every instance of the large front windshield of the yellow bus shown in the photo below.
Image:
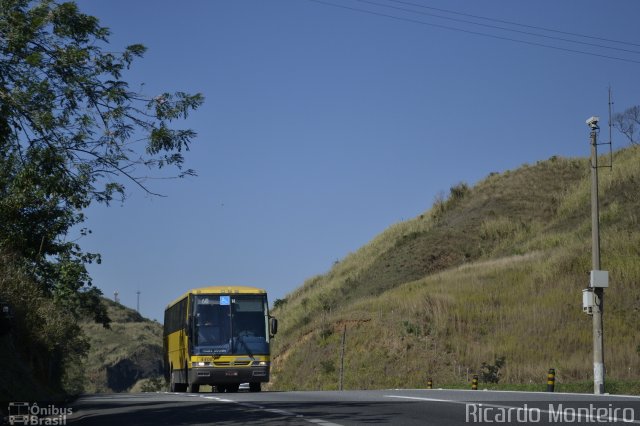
(230, 324)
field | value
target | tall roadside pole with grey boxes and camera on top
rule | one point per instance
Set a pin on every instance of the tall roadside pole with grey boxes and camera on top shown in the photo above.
(598, 280)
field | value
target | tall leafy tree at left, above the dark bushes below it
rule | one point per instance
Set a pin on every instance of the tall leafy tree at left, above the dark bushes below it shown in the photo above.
(72, 132)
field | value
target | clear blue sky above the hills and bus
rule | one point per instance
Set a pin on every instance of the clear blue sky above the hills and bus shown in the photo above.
(323, 126)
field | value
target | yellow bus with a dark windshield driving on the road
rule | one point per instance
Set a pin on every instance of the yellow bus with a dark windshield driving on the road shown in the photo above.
(218, 336)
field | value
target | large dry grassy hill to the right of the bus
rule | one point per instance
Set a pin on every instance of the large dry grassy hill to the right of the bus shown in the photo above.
(494, 270)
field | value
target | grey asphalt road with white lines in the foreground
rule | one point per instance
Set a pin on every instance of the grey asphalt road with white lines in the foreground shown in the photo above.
(393, 406)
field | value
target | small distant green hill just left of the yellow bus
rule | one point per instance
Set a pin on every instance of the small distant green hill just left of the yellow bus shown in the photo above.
(126, 357)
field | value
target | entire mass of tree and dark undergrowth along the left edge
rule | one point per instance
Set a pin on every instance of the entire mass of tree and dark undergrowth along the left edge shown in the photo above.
(73, 133)
